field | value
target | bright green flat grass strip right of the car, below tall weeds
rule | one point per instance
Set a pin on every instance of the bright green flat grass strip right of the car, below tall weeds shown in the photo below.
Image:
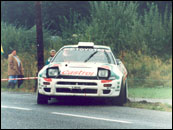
(155, 93)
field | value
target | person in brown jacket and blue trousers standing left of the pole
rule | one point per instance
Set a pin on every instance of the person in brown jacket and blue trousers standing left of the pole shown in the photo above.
(15, 69)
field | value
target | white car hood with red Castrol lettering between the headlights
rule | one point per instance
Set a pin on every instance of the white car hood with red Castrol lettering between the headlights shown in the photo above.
(81, 69)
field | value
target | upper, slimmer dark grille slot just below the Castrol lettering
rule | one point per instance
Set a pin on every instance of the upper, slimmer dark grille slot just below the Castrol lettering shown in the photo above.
(77, 83)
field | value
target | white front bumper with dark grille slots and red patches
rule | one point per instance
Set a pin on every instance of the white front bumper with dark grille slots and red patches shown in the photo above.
(79, 87)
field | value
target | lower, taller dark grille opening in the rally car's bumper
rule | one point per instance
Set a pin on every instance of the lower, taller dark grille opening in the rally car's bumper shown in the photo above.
(66, 90)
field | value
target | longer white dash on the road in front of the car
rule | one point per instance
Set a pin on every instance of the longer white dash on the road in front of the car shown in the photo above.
(89, 117)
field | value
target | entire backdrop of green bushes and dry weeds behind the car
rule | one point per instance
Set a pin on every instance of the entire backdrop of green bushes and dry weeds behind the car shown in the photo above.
(139, 33)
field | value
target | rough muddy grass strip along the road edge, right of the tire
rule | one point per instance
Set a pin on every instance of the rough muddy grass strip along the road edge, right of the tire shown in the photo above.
(151, 106)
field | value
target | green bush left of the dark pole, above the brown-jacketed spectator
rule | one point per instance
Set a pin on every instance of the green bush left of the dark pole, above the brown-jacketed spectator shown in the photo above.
(17, 38)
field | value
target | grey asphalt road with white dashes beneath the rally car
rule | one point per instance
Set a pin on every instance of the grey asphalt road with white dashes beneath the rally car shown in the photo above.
(20, 111)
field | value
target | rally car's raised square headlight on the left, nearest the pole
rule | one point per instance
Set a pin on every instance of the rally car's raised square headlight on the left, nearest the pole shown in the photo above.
(52, 72)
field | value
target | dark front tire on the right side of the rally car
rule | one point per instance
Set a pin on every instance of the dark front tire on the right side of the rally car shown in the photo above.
(122, 98)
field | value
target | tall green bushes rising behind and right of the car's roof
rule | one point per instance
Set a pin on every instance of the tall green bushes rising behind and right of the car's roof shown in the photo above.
(119, 25)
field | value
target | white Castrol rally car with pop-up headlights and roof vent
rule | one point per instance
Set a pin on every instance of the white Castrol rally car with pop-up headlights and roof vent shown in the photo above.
(86, 70)
